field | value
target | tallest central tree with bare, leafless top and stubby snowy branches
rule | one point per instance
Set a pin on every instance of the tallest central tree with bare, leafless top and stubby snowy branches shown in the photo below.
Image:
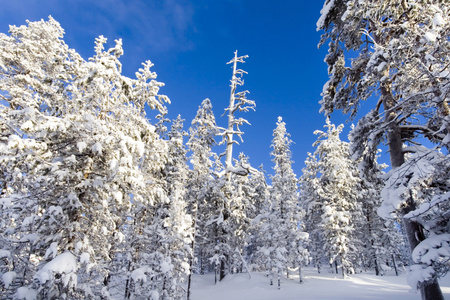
(226, 195)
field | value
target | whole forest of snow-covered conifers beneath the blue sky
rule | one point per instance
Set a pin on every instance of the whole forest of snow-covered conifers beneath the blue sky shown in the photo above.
(97, 202)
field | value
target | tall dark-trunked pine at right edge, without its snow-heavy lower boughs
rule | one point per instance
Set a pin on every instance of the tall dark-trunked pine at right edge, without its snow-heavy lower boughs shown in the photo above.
(401, 55)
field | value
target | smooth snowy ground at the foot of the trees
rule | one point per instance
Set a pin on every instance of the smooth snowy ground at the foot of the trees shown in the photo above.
(315, 286)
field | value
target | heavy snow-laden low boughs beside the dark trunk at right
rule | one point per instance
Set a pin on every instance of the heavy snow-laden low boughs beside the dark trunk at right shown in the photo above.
(423, 179)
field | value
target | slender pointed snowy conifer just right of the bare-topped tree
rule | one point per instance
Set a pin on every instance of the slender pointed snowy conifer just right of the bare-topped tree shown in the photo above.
(284, 241)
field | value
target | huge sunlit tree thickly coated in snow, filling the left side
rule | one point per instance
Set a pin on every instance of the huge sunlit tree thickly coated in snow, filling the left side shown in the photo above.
(75, 147)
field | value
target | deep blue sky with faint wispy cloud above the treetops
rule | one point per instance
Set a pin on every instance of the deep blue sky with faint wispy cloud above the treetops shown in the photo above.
(190, 43)
